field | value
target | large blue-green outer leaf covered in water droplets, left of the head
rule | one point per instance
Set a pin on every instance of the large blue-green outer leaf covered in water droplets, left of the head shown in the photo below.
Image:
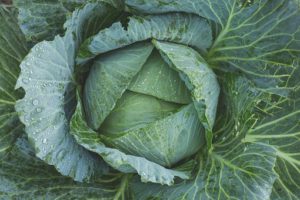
(47, 78)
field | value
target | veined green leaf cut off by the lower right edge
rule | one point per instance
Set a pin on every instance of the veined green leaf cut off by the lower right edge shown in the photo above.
(281, 130)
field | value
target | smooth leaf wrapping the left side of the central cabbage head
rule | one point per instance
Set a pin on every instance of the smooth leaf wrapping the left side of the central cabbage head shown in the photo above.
(108, 79)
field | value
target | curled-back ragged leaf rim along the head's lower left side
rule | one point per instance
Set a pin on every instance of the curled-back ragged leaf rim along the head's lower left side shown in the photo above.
(149, 171)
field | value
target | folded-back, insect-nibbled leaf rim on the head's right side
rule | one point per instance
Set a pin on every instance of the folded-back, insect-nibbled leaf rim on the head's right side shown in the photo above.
(198, 77)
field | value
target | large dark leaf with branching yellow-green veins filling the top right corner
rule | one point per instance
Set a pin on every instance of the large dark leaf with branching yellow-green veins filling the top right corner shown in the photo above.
(260, 40)
